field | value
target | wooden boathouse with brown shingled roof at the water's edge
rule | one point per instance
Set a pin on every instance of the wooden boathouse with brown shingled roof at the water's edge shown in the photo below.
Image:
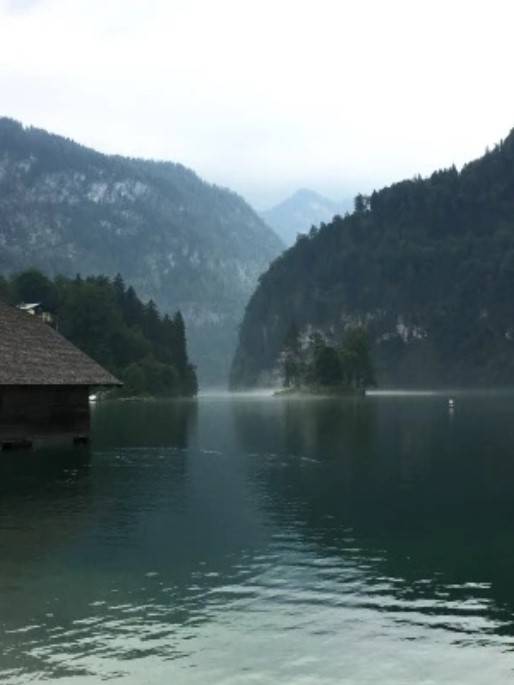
(45, 382)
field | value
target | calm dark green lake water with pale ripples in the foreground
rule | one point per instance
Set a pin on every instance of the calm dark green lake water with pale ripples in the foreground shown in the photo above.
(265, 541)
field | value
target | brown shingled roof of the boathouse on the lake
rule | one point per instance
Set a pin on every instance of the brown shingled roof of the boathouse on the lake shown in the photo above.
(33, 353)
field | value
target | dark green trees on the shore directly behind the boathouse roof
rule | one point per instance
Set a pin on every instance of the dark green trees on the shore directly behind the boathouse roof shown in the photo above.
(109, 322)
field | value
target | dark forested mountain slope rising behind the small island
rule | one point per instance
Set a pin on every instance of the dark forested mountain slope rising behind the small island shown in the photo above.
(427, 265)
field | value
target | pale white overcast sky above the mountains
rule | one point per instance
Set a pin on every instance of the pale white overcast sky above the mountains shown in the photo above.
(265, 96)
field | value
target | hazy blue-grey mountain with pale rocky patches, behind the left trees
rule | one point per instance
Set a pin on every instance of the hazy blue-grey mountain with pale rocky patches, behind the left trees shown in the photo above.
(178, 240)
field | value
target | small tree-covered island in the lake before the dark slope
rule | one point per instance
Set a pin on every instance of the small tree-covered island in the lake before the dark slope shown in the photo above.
(311, 366)
